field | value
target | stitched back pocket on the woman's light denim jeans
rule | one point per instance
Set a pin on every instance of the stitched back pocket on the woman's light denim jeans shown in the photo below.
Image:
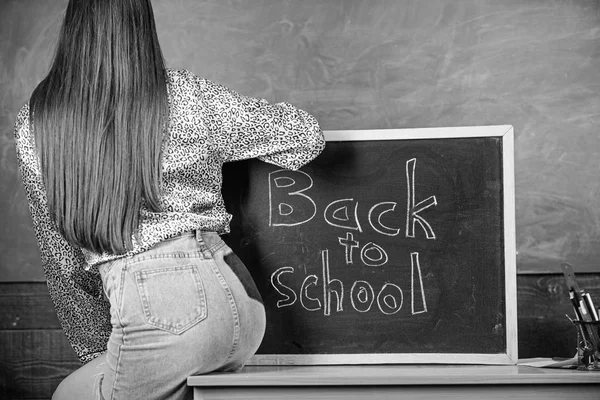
(173, 297)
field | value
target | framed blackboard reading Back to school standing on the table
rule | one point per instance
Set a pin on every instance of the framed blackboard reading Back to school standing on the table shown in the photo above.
(392, 246)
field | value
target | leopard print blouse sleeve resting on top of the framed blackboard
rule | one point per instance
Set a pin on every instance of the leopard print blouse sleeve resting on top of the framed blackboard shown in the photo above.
(245, 127)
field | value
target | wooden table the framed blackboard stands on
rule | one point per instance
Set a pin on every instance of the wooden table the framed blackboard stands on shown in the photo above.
(374, 382)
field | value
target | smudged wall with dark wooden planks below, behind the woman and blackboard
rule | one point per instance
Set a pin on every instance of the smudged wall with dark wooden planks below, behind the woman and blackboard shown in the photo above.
(355, 65)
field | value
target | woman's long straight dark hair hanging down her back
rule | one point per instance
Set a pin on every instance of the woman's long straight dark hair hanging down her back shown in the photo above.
(98, 119)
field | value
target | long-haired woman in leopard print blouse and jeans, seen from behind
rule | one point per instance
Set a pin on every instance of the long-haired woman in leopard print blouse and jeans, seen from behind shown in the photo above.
(121, 161)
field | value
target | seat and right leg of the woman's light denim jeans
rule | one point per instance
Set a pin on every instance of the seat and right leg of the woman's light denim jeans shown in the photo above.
(187, 306)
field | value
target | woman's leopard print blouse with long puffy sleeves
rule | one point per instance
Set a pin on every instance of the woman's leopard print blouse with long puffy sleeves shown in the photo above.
(209, 125)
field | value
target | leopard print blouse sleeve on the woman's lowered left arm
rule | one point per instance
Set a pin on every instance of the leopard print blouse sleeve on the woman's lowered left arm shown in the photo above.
(77, 294)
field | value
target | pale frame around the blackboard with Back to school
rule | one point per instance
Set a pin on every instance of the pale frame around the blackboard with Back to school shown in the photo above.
(509, 356)
